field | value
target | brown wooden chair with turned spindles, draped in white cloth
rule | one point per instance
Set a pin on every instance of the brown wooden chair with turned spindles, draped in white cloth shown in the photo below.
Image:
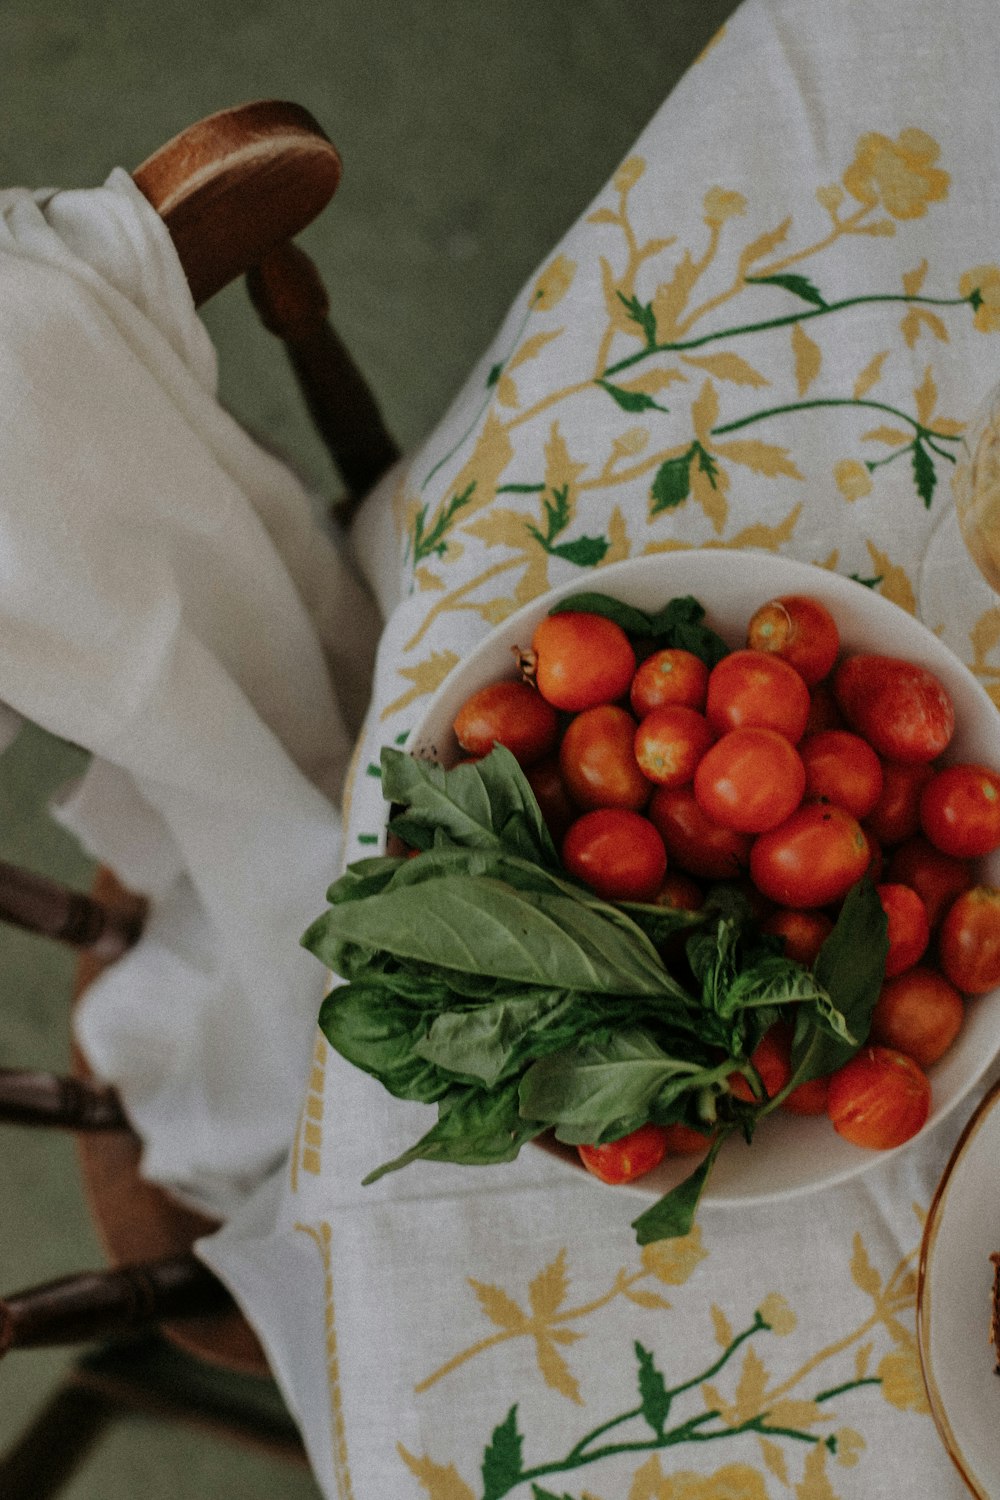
(233, 191)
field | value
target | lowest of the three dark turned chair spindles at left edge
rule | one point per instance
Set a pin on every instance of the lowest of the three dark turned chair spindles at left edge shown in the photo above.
(110, 1304)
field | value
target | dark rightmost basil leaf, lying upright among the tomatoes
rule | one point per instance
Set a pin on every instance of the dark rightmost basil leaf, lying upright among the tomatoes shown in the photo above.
(851, 967)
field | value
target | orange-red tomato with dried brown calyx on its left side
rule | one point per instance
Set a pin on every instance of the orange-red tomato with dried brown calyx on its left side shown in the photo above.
(582, 661)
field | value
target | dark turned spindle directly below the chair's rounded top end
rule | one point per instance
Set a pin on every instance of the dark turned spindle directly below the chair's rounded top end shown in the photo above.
(292, 302)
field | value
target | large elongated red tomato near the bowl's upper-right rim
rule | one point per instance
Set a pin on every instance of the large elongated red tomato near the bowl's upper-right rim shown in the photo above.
(899, 707)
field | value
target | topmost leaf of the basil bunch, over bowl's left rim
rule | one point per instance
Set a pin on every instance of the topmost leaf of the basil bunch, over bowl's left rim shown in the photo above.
(478, 806)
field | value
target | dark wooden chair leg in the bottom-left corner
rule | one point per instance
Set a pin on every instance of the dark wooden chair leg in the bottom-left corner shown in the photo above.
(47, 1456)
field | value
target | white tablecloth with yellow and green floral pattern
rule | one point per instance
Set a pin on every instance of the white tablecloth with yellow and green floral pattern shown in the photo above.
(770, 331)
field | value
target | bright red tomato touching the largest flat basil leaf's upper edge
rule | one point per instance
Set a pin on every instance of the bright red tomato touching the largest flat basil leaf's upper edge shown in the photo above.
(617, 853)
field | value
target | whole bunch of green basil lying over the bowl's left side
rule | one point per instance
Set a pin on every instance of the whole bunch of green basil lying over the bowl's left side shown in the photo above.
(485, 980)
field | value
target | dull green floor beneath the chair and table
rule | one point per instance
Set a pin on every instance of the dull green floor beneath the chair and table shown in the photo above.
(473, 134)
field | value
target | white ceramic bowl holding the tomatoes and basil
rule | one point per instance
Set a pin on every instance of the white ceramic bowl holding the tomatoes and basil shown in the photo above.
(789, 1154)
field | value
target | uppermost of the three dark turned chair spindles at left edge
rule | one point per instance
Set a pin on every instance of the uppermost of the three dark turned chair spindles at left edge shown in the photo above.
(55, 911)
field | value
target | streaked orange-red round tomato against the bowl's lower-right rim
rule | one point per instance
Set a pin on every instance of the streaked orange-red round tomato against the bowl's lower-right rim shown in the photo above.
(879, 1100)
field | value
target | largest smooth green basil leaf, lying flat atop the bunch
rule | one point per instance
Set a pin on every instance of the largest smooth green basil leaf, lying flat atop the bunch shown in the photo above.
(487, 926)
